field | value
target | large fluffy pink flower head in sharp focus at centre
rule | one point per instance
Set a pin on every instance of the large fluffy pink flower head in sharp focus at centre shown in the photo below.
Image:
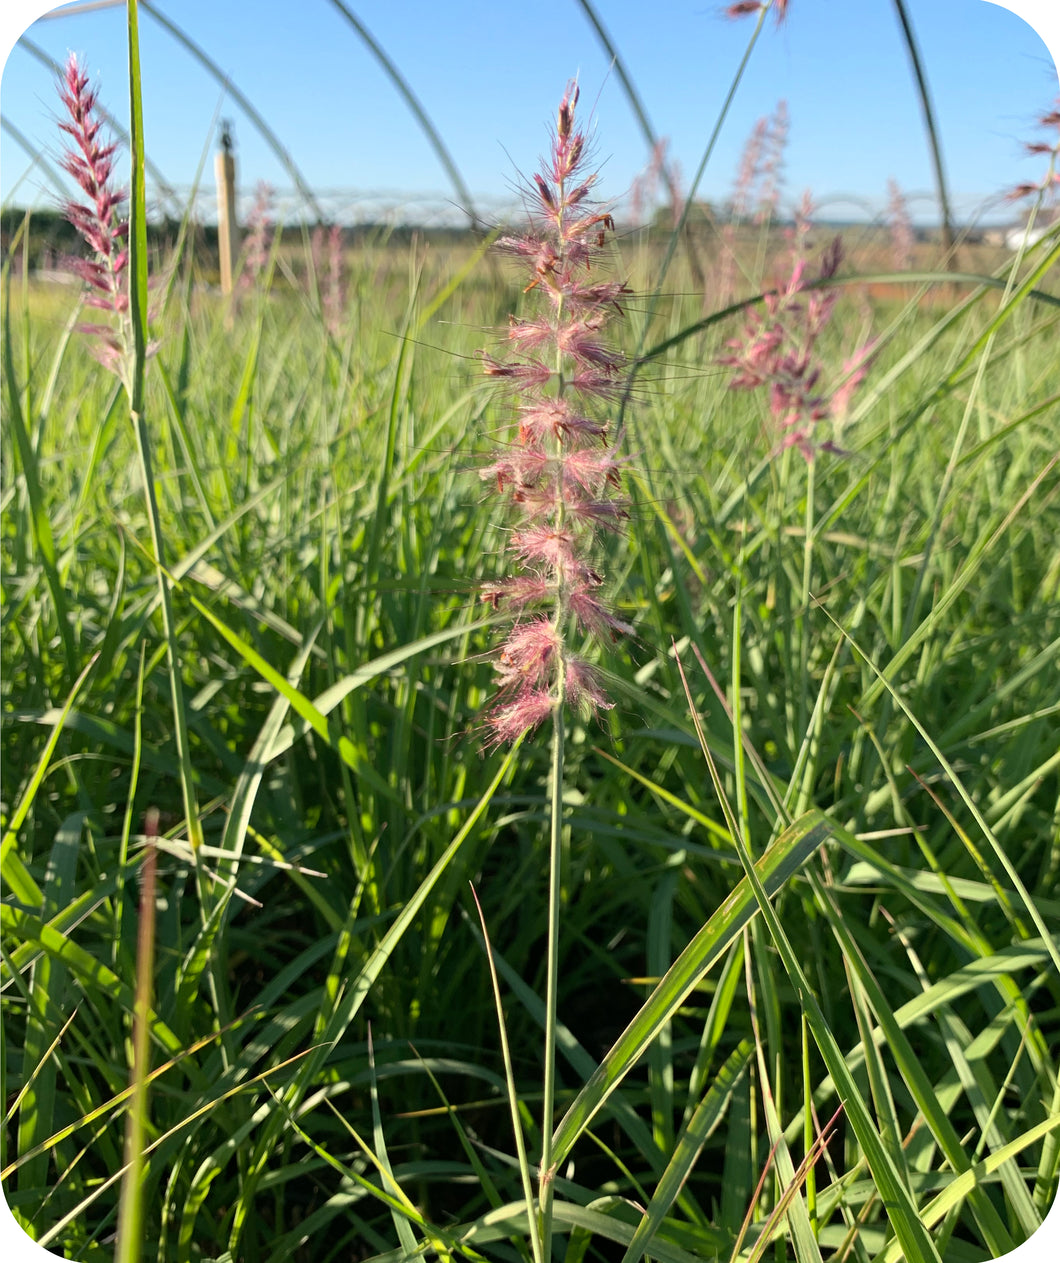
(560, 474)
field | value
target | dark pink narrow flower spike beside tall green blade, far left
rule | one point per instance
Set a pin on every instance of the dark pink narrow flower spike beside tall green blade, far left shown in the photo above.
(100, 222)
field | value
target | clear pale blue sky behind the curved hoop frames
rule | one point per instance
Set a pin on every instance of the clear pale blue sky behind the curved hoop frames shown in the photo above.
(491, 75)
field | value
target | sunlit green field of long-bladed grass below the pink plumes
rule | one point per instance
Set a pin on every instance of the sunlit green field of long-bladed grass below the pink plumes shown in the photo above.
(808, 870)
